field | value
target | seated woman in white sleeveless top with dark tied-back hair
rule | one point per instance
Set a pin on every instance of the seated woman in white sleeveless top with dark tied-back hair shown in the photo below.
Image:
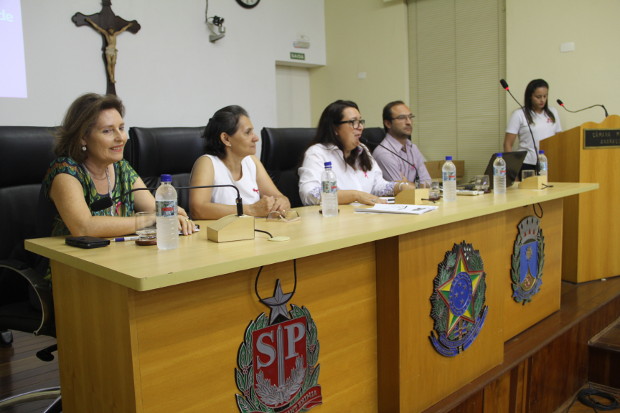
(230, 160)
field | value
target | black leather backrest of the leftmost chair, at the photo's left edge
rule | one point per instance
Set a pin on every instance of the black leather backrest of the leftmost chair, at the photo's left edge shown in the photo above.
(27, 152)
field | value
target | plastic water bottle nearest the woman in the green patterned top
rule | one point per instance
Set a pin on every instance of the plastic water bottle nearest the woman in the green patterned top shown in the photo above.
(166, 212)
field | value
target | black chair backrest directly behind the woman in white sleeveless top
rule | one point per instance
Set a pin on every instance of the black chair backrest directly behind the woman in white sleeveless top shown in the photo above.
(156, 151)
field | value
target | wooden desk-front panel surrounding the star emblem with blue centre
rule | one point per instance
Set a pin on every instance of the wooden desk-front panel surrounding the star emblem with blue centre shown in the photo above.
(425, 376)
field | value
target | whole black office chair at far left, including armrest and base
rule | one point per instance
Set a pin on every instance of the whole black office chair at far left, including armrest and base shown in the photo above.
(25, 296)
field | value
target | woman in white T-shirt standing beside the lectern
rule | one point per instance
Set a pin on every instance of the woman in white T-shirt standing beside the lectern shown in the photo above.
(542, 120)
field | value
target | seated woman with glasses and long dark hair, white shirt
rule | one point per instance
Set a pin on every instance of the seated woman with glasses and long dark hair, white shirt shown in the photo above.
(337, 141)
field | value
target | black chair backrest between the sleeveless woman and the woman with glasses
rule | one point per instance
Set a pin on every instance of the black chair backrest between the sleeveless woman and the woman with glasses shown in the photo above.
(282, 151)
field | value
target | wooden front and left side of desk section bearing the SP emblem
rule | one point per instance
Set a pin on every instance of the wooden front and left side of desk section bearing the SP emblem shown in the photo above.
(193, 331)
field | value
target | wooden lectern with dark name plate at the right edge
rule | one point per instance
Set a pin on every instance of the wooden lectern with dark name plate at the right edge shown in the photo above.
(591, 239)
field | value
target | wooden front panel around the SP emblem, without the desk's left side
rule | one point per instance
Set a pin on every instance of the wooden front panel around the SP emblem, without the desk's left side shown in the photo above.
(210, 318)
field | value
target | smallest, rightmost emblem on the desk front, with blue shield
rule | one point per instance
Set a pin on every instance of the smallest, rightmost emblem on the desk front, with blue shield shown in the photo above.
(528, 260)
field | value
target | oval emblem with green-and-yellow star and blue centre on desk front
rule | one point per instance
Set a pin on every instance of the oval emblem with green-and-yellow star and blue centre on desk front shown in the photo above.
(458, 300)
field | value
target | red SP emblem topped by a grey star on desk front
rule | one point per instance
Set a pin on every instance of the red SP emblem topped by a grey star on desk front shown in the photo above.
(277, 361)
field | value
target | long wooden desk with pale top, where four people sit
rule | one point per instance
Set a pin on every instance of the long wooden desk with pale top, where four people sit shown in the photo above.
(143, 330)
